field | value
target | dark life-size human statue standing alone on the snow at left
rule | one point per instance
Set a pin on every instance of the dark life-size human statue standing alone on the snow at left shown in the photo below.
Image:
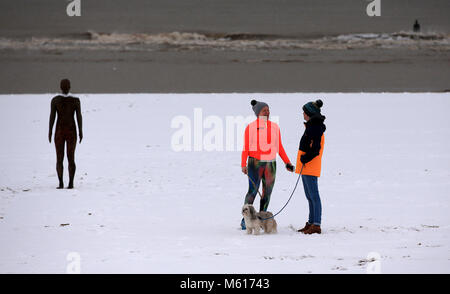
(65, 106)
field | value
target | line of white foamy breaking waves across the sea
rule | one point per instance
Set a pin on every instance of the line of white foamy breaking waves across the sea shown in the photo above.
(222, 41)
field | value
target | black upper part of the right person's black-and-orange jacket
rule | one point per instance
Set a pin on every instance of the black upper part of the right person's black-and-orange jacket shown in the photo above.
(313, 134)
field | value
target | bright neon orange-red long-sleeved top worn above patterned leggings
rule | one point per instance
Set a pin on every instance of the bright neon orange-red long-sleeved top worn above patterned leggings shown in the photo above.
(262, 140)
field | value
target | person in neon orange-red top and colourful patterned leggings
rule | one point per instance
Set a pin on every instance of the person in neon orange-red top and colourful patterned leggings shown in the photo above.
(262, 143)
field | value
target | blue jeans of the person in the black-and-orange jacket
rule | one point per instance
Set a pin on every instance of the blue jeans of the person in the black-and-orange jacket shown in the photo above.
(312, 194)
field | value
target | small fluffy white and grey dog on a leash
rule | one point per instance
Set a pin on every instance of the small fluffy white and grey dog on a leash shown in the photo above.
(254, 221)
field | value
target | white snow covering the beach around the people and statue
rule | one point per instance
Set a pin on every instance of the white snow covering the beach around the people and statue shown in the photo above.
(140, 207)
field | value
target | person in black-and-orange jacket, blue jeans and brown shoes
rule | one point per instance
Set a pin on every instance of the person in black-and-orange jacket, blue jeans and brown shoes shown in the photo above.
(309, 162)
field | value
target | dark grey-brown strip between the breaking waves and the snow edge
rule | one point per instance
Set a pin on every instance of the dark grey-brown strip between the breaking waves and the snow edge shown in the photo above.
(205, 71)
